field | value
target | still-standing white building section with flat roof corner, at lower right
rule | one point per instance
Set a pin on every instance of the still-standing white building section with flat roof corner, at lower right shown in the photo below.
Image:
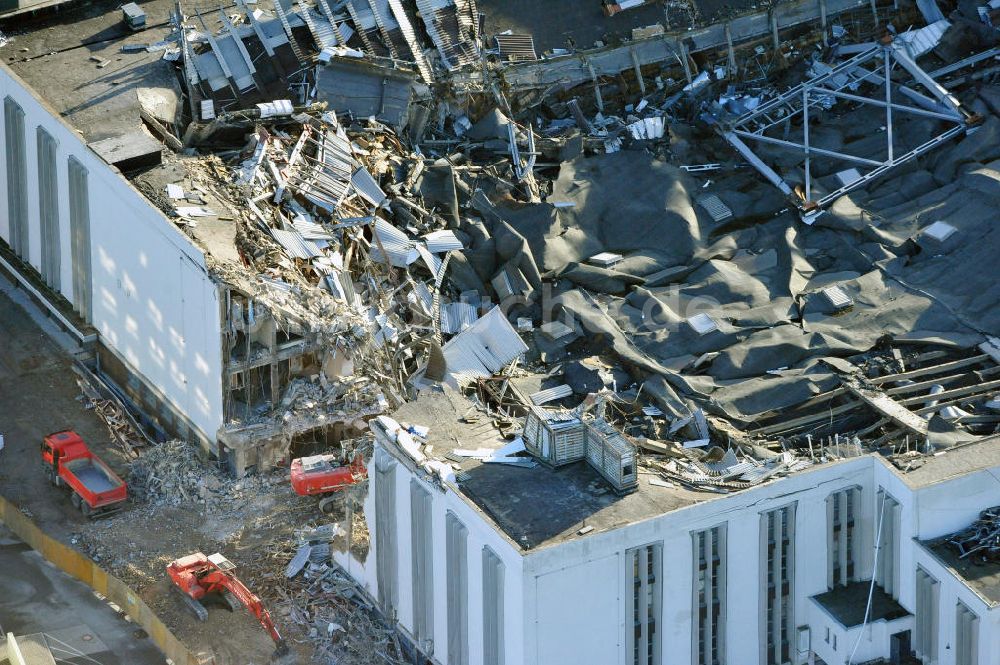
(541, 566)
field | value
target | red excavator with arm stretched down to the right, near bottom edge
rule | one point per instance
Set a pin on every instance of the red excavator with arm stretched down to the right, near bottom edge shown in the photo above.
(198, 578)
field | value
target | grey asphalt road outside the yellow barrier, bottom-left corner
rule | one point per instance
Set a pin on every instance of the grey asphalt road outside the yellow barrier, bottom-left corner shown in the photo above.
(39, 600)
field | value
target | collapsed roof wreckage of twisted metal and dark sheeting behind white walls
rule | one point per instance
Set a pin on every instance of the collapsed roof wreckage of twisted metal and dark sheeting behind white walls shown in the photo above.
(407, 213)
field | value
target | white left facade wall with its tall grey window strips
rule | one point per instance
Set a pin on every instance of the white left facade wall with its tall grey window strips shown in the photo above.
(139, 287)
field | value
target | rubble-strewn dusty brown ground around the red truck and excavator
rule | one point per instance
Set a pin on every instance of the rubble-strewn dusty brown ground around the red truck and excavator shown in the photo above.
(187, 507)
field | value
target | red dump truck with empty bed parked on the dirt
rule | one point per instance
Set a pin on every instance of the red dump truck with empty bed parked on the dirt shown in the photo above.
(68, 462)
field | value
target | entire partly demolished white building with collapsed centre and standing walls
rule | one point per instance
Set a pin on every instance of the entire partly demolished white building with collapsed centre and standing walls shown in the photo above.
(598, 309)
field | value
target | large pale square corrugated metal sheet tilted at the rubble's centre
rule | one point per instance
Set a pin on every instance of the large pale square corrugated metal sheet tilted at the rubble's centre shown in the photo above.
(483, 349)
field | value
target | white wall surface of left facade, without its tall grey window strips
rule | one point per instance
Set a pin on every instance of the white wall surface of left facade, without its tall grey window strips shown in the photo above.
(155, 304)
